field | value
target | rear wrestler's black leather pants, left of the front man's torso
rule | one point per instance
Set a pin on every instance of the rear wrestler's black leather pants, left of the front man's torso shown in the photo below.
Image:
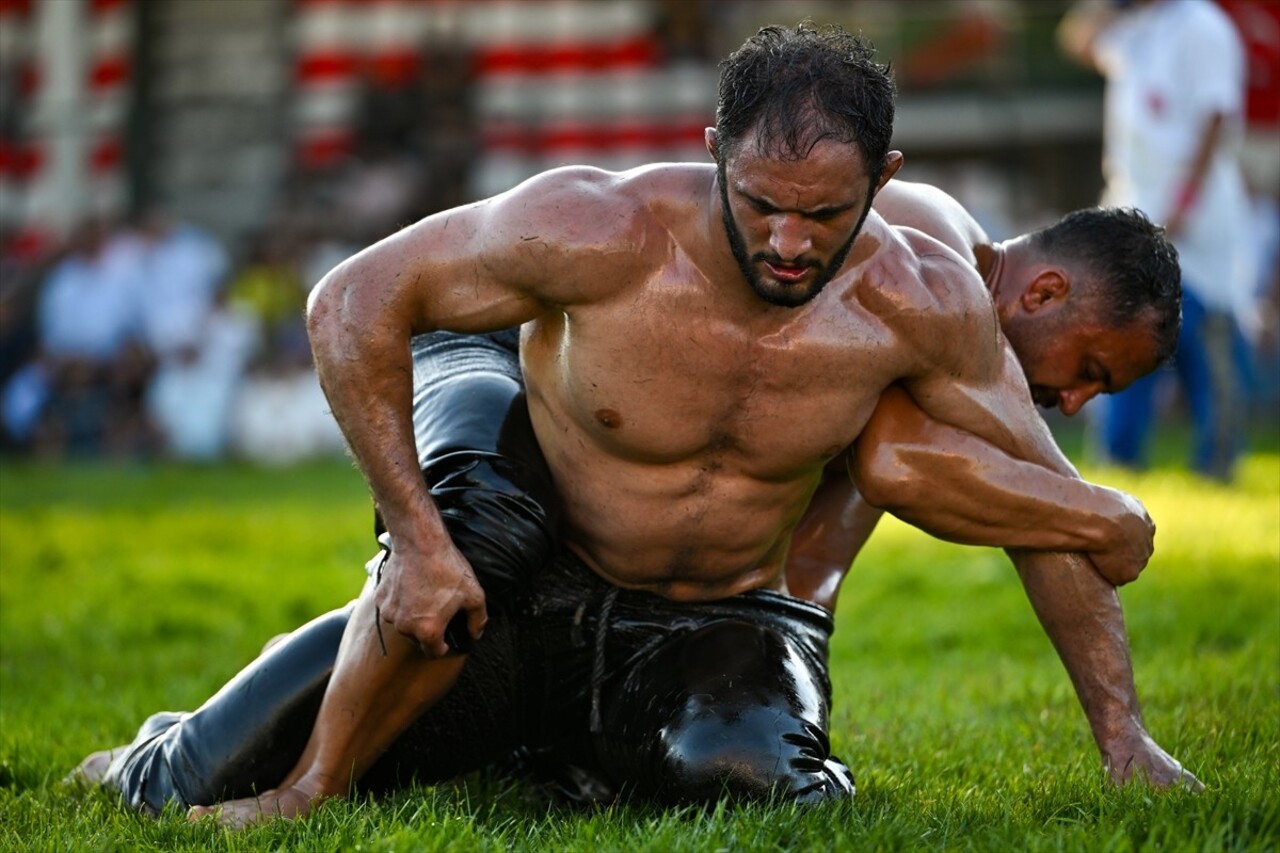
(482, 464)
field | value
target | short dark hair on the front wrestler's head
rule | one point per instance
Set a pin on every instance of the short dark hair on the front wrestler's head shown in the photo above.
(794, 88)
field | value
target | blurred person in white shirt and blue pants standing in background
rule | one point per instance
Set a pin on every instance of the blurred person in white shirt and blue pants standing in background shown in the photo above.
(1176, 85)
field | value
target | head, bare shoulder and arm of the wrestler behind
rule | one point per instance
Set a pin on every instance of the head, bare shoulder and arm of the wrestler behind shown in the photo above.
(1089, 305)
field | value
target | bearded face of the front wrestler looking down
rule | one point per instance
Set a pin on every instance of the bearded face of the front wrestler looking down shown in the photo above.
(792, 225)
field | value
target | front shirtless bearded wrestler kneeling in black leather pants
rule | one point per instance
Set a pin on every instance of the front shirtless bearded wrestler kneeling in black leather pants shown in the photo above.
(700, 345)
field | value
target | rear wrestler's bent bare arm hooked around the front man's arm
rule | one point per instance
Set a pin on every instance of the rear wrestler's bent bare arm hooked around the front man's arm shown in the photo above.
(961, 489)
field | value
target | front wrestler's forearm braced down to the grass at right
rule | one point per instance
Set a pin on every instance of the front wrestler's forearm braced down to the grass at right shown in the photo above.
(1081, 613)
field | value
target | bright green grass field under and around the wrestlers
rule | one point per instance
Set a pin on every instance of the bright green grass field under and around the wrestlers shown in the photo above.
(125, 591)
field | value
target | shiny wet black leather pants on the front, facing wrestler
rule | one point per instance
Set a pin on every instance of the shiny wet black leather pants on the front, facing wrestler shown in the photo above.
(680, 703)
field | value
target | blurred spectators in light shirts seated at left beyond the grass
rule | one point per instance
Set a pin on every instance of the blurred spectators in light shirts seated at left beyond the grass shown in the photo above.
(147, 339)
